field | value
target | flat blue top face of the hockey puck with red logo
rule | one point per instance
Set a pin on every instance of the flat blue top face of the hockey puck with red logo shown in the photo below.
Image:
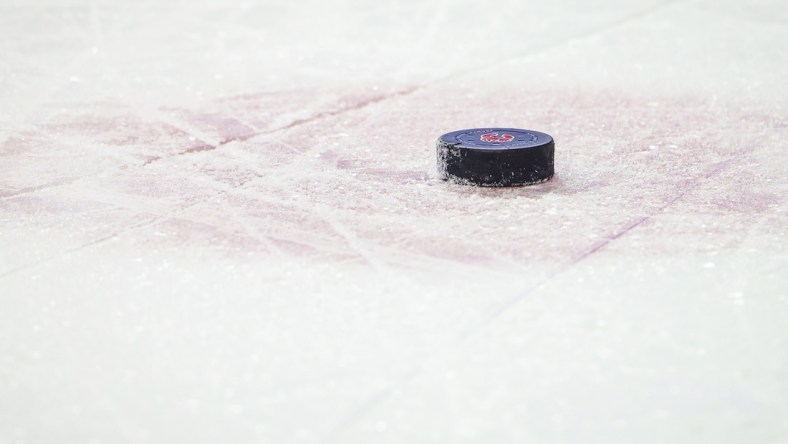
(496, 138)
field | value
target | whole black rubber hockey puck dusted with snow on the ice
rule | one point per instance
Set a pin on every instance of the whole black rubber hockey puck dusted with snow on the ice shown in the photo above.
(496, 157)
